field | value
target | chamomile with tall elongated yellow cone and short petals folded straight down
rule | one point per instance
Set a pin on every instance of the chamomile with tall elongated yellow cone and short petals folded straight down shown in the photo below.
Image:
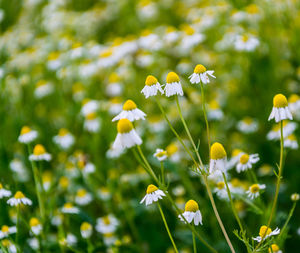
(218, 158)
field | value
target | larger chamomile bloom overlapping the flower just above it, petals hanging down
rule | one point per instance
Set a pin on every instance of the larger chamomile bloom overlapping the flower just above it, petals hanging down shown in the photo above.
(127, 136)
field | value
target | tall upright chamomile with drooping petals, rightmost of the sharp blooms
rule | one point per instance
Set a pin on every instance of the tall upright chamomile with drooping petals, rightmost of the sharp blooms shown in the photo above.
(280, 110)
